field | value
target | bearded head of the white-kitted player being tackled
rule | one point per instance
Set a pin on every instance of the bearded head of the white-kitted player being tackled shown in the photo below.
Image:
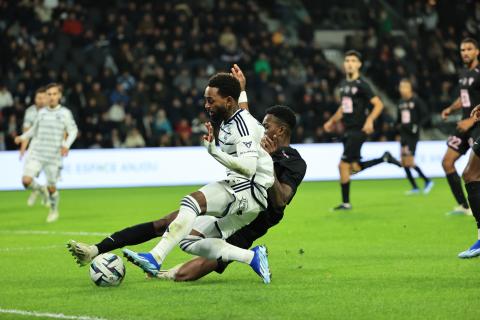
(221, 95)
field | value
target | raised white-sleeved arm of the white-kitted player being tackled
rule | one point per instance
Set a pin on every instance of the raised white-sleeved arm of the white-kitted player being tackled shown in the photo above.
(244, 165)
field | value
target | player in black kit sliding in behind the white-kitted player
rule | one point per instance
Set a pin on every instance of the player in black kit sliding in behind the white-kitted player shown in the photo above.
(290, 169)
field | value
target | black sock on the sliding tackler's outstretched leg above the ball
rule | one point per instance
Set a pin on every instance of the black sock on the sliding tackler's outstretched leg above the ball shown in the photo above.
(128, 236)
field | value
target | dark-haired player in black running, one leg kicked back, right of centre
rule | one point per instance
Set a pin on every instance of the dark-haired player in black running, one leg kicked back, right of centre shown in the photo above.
(357, 99)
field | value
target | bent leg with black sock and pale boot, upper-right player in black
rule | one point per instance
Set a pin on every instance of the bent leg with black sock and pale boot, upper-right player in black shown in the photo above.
(456, 148)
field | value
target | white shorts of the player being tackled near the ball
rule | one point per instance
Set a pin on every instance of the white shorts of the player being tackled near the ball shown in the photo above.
(231, 205)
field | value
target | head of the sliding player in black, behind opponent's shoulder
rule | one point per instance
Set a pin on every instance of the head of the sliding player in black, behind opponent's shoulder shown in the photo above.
(279, 121)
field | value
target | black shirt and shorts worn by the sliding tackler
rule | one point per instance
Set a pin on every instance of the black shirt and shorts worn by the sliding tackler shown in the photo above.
(290, 169)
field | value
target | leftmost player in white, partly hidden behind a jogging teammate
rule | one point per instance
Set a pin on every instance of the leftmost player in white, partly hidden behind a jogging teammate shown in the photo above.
(28, 182)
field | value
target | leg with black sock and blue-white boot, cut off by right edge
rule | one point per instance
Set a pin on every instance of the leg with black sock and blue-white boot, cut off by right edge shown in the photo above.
(471, 176)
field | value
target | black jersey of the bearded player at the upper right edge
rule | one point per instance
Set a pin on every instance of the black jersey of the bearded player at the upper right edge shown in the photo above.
(469, 83)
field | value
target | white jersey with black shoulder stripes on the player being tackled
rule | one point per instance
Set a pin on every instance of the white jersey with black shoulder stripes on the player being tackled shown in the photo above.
(240, 136)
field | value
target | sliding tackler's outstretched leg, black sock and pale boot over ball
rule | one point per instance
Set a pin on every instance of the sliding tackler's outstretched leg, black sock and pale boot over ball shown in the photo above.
(140, 233)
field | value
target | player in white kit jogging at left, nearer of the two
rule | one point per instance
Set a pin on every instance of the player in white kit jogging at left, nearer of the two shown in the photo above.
(49, 144)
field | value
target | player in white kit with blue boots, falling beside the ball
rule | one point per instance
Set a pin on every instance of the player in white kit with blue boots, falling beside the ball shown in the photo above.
(219, 209)
